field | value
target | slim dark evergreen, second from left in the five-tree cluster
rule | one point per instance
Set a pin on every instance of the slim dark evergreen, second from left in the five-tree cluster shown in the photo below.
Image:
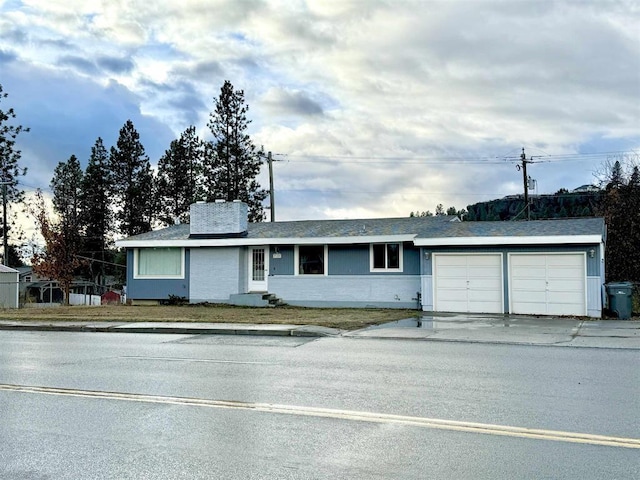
(97, 215)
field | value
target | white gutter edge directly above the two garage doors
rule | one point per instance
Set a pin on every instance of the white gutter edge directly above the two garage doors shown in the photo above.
(483, 241)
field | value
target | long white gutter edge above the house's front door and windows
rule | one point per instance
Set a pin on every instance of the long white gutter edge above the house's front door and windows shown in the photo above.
(234, 242)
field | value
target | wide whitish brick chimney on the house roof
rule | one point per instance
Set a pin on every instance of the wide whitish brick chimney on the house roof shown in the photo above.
(219, 219)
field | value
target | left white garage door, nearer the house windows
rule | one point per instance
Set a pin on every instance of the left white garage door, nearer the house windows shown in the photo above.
(468, 283)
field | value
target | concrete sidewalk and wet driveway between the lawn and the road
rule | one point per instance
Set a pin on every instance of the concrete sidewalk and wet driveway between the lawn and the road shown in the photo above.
(518, 330)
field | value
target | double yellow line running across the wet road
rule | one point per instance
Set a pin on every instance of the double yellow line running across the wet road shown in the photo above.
(353, 415)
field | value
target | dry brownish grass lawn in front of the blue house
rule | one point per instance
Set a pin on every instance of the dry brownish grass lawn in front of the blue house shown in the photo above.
(344, 318)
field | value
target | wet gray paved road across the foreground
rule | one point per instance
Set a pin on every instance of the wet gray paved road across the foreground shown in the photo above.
(93, 405)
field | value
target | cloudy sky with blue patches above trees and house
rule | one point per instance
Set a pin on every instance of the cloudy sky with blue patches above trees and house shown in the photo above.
(371, 108)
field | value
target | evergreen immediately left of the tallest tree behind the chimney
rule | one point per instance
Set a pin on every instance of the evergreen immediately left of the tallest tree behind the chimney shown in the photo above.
(179, 177)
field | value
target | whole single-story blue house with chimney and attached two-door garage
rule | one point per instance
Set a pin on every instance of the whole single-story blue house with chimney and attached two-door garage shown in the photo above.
(544, 267)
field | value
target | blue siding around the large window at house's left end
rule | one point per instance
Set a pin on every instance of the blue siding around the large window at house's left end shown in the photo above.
(156, 289)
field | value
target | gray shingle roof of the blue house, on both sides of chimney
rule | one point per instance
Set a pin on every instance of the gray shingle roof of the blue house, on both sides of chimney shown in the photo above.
(422, 227)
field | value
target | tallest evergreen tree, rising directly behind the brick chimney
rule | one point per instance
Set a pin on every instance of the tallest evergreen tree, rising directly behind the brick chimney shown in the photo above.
(232, 161)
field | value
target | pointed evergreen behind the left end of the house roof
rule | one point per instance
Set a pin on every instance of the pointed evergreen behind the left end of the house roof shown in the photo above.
(132, 183)
